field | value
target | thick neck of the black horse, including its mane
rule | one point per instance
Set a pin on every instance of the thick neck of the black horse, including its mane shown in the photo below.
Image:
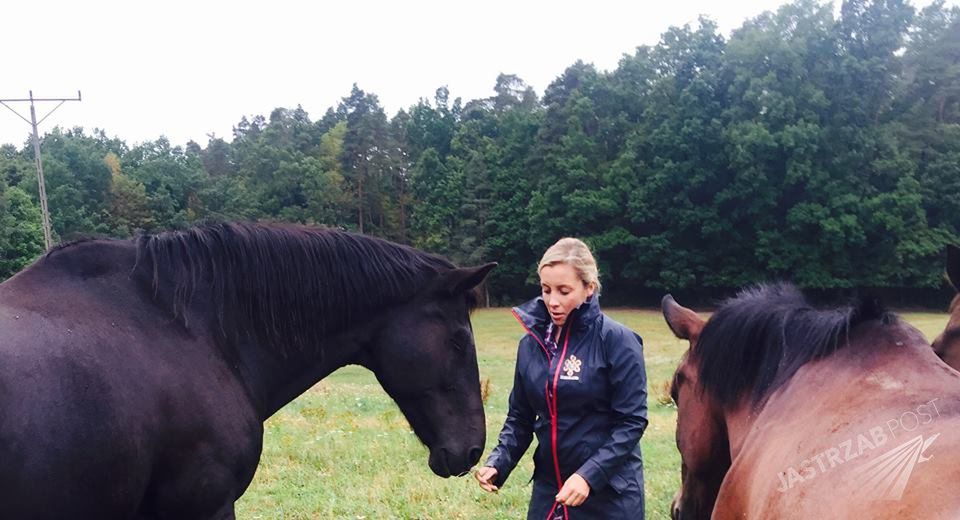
(286, 304)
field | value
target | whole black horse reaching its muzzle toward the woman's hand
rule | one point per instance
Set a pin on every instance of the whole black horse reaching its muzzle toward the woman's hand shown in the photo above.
(135, 376)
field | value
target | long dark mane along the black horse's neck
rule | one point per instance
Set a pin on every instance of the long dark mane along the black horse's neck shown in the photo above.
(284, 286)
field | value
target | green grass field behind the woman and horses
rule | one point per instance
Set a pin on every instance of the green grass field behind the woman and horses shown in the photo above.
(343, 450)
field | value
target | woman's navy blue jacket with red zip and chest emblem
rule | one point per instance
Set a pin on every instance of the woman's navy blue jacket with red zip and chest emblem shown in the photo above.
(601, 401)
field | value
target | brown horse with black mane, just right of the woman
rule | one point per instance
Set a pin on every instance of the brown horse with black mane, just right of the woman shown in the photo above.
(785, 411)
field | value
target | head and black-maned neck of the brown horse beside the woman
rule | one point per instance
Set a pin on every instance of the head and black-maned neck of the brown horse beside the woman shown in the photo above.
(753, 344)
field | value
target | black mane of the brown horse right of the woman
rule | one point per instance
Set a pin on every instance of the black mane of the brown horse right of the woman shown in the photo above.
(759, 339)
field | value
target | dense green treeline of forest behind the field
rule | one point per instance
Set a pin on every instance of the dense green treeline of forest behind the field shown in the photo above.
(809, 147)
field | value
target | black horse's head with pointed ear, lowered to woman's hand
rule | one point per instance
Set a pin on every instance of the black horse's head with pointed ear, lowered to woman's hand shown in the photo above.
(424, 356)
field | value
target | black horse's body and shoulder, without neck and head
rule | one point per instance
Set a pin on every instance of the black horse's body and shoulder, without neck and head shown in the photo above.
(95, 381)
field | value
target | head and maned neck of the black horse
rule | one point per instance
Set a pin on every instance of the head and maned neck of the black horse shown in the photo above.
(324, 298)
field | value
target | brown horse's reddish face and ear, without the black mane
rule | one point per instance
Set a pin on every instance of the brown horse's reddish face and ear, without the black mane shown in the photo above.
(701, 432)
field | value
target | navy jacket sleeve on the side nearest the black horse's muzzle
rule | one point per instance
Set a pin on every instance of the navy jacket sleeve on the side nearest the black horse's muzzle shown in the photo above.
(517, 432)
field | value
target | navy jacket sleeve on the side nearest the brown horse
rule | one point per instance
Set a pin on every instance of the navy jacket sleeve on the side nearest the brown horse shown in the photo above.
(628, 404)
